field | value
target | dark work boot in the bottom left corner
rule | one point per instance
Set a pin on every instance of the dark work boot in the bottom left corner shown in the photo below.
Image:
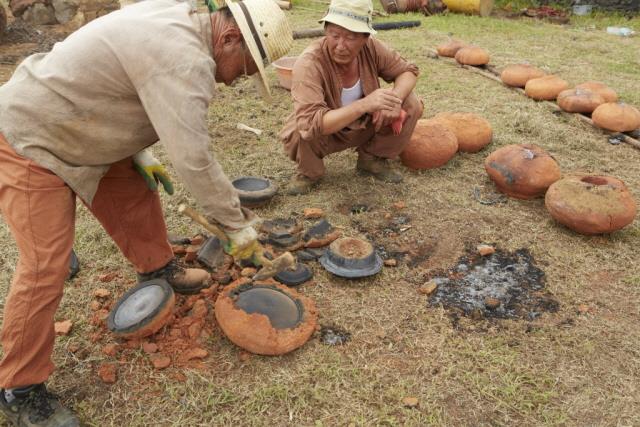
(35, 406)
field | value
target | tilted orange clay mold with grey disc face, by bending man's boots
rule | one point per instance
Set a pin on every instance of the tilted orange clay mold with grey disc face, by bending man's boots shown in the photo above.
(142, 310)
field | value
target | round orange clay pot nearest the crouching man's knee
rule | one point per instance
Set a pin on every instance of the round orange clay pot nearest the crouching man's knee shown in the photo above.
(432, 145)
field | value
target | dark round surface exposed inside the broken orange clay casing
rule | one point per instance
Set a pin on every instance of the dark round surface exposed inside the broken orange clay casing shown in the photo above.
(283, 311)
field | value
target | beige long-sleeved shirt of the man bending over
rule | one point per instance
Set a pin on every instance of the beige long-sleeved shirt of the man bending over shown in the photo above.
(116, 86)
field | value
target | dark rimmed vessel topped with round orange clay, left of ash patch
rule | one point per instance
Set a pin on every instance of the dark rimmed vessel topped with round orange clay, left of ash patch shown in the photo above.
(351, 258)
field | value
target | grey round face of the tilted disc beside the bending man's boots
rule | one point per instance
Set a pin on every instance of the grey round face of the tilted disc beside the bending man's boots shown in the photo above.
(139, 306)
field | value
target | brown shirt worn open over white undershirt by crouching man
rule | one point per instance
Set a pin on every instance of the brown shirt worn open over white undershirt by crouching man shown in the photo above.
(316, 86)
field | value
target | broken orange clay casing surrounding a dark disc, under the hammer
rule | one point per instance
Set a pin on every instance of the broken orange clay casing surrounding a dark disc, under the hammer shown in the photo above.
(254, 332)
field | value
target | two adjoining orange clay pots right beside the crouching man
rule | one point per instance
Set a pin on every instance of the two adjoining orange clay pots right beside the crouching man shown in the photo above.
(435, 141)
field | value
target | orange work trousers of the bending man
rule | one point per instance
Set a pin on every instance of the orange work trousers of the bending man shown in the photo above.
(39, 209)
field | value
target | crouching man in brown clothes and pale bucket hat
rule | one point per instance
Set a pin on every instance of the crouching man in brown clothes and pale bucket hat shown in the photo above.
(338, 102)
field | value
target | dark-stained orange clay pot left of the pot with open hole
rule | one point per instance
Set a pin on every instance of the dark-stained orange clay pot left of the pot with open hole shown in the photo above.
(522, 171)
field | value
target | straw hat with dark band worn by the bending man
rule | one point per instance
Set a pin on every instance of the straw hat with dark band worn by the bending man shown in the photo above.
(266, 33)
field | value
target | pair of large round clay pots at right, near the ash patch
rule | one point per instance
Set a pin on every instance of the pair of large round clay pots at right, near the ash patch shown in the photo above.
(587, 204)
